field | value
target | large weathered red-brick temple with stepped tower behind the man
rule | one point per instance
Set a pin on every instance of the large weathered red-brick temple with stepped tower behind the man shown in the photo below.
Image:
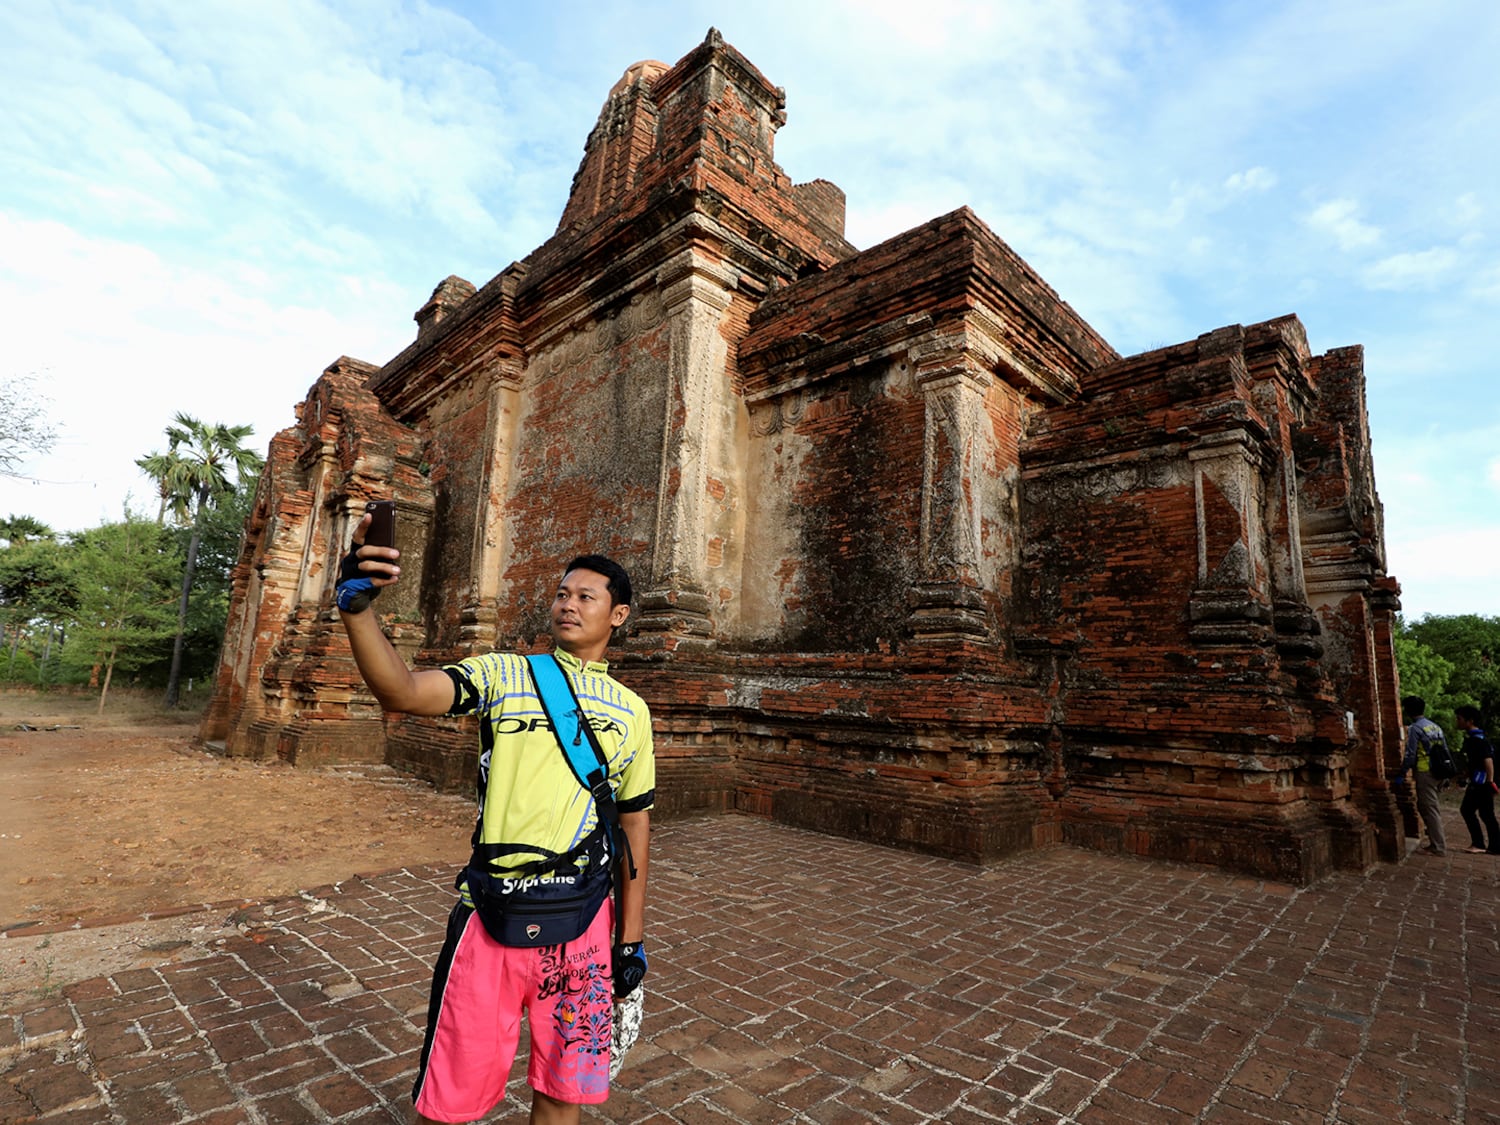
(920, 557)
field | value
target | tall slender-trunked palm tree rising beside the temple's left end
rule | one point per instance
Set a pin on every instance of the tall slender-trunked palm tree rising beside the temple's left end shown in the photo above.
(193, 476)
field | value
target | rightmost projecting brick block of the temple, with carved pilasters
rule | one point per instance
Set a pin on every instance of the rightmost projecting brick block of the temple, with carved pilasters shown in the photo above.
(1192, 680)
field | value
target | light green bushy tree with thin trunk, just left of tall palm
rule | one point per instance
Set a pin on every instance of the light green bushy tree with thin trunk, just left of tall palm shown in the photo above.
(124, 578)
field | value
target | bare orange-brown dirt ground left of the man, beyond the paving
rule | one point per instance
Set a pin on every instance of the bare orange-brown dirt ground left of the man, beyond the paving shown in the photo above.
(109, 818)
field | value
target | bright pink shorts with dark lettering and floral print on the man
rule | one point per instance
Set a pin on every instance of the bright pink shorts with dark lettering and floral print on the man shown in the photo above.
(479, 991)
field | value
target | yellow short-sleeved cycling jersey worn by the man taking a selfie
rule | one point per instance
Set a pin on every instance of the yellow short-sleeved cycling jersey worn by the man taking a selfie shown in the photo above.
(533, 805)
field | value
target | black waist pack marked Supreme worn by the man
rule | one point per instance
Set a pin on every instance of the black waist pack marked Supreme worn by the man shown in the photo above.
(532, 910)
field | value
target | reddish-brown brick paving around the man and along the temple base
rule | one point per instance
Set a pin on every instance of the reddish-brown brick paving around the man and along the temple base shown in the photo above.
(799, 979)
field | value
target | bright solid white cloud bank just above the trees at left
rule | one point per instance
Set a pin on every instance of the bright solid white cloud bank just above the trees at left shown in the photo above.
(125, 338)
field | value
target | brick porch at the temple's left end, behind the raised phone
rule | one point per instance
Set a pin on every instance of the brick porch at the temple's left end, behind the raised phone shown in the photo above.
(287, 683)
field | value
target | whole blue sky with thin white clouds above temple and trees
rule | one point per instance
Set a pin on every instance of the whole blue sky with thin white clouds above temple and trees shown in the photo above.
(205, 205)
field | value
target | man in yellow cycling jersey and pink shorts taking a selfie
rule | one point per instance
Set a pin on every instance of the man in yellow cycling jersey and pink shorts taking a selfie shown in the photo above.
(535, 929)
